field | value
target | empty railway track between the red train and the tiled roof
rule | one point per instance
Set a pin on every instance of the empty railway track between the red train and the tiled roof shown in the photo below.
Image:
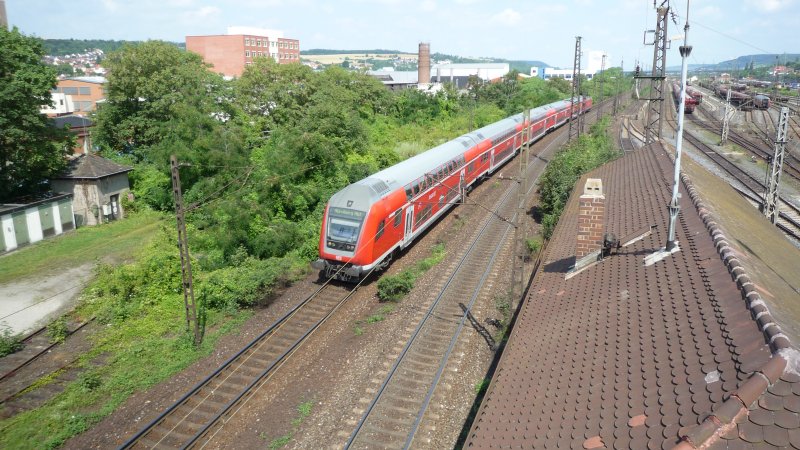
(393, 417)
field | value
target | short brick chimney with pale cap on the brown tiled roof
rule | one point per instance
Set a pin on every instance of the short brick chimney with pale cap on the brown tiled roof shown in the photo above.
(591, 217)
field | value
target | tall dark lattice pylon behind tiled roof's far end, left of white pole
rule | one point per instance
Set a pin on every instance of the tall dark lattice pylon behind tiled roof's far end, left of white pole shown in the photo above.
(653, 124)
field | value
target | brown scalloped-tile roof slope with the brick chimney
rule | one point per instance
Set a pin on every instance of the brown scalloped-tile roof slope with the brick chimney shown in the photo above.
(624, 355)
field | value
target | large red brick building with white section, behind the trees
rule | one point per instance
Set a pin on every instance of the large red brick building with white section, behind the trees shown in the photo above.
(230, 53)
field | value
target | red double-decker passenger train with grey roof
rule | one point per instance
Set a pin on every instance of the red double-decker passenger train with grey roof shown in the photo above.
(367, 222)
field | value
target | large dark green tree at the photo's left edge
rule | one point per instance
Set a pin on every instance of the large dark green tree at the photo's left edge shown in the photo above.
(30, 150)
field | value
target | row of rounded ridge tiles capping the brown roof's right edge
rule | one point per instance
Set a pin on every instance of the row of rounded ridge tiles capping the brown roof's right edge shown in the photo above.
(735, 408)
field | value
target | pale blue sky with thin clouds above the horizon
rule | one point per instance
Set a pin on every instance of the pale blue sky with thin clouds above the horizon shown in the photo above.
(512, 29)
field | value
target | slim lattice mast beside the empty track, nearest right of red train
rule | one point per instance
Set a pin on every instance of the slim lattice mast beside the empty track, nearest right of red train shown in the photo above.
(518, 266)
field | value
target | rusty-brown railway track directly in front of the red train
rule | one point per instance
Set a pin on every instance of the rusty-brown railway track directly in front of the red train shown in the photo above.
(202, 411)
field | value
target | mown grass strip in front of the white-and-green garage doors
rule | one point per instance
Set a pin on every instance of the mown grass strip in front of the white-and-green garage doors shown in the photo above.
(117, 240)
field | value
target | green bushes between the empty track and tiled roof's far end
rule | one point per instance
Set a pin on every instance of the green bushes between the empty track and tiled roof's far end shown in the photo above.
(564, 170)
